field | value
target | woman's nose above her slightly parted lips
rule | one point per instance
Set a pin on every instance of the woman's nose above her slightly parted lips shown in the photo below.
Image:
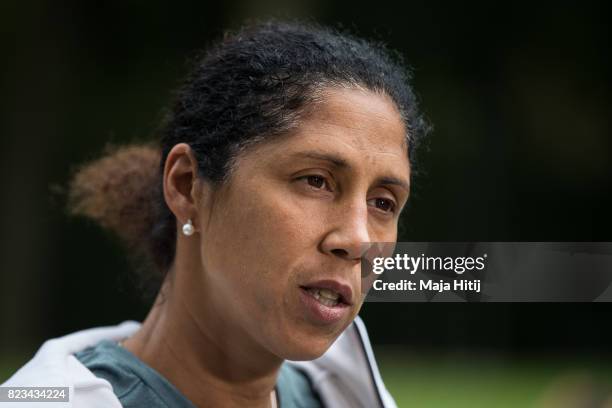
(348, 236)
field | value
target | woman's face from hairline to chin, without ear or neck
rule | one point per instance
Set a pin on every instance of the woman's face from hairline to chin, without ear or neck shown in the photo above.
(281, 242)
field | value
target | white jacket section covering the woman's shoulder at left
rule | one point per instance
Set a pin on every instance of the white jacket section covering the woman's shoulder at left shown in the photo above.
(54, 365)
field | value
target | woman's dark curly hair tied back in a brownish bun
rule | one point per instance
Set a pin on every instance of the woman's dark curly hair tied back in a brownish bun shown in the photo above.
(253, 85)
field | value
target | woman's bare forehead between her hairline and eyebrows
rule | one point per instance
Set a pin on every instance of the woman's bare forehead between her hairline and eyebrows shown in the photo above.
(362, 127)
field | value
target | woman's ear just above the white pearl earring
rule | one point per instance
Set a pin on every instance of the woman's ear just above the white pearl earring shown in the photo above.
(180, 183)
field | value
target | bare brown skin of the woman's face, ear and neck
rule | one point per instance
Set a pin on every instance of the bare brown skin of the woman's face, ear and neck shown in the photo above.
(233, 303)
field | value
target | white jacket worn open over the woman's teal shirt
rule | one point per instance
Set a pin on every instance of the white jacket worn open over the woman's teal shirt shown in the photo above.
(346, 375)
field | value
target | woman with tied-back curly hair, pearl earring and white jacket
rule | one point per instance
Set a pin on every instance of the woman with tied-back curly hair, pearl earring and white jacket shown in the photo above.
(286, 153)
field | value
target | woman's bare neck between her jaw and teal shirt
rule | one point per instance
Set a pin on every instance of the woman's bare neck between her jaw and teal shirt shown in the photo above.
(211, 361)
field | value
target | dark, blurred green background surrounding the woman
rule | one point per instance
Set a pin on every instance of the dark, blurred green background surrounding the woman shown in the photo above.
(519, 94)
